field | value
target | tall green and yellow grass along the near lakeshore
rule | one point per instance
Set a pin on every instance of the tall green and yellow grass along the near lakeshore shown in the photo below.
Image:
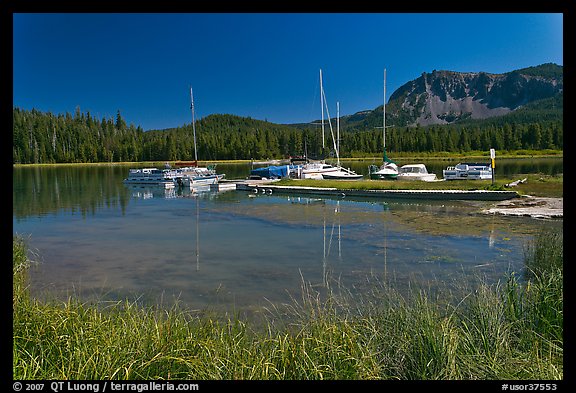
(510, 330)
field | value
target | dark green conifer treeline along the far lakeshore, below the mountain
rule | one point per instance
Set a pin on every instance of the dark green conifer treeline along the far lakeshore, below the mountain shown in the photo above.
(64, 138)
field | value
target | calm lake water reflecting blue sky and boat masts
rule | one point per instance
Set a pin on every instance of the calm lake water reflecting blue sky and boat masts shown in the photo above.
(99, 239)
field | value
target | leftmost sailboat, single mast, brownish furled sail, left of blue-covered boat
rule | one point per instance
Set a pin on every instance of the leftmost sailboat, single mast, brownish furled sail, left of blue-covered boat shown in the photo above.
(189, 173)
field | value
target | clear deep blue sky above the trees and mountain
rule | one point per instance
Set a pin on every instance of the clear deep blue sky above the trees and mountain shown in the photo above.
(262, 65)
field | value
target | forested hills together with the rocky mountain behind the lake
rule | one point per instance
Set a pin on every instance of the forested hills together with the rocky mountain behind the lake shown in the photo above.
(519, 110)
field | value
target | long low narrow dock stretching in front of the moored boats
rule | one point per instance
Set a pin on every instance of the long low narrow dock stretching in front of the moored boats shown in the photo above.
(477, 195)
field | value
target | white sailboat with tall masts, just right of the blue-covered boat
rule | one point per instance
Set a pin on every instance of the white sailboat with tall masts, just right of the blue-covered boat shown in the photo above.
(322, 170)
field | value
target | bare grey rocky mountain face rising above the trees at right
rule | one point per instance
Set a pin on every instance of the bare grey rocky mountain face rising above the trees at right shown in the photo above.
(443, 97)
